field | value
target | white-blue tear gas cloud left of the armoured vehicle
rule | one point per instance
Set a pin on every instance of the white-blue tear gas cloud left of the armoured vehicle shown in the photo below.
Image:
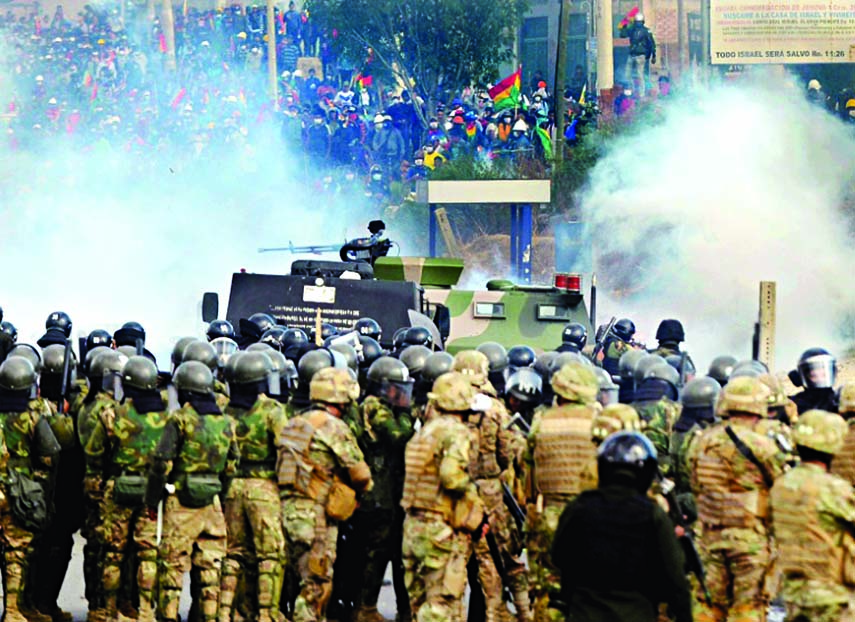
(110, 235)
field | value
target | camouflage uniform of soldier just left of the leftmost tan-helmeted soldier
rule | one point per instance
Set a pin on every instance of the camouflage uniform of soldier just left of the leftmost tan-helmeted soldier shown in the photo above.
(252, 509)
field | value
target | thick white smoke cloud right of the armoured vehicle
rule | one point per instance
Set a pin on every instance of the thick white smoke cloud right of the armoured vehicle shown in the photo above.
(737, 184)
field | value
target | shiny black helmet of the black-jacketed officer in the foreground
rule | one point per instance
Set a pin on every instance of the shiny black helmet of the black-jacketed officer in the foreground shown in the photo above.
(627, 458)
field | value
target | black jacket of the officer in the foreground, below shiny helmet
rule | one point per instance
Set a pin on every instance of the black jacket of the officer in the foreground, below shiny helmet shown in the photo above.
(619, 558)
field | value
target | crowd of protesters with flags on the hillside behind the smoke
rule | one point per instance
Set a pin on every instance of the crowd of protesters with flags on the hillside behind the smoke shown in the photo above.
(109, 77)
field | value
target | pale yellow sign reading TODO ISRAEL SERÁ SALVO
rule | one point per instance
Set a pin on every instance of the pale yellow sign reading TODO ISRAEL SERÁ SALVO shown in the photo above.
(782, 31)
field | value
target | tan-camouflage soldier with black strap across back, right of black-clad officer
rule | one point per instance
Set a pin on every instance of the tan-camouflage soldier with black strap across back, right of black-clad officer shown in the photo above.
(732, 498)
